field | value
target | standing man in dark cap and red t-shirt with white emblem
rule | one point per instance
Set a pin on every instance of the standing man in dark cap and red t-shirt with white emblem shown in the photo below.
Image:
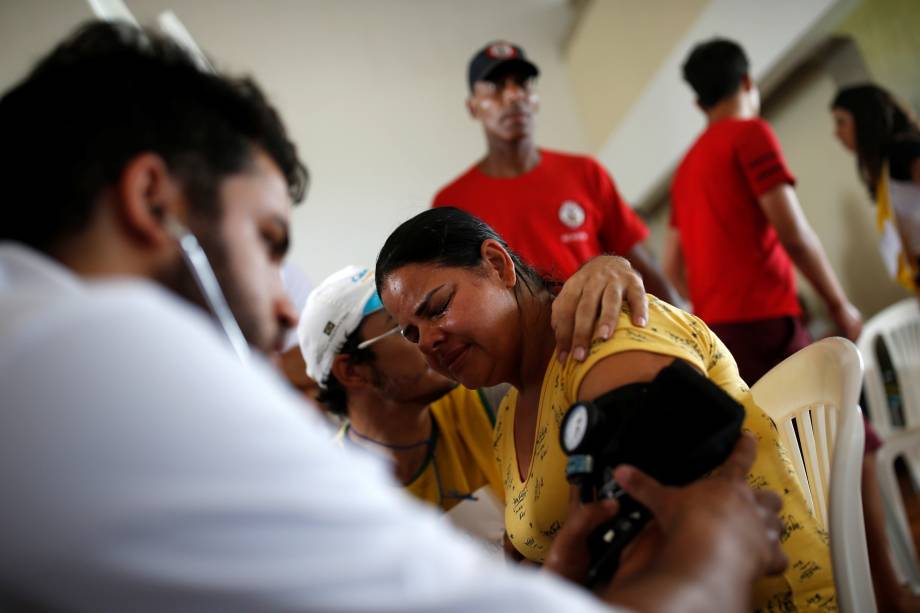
(557, 210)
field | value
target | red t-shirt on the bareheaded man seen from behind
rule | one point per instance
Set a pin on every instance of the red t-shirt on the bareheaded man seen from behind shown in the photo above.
(737, 270)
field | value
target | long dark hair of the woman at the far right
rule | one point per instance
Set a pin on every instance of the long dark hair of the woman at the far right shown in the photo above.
(879, 119)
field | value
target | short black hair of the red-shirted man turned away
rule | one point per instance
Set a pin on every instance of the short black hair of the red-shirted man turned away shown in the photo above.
(714, 69)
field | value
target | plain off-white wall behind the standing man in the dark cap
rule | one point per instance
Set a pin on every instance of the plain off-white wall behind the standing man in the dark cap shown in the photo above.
(371, 90)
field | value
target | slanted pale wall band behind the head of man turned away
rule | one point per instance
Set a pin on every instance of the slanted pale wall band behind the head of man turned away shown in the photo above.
(649, 142)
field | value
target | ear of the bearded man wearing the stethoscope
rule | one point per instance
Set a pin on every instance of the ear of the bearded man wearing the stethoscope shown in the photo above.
(147, 193)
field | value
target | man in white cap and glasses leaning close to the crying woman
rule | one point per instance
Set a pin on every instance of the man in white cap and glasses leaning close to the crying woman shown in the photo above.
(438, 434)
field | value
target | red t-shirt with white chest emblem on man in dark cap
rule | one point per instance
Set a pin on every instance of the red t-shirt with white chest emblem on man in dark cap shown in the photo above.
(557, 216)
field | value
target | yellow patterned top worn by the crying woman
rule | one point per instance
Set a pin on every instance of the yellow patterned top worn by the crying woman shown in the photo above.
(536, 507)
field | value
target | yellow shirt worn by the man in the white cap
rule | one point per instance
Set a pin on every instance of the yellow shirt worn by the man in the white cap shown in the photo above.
(460, 458)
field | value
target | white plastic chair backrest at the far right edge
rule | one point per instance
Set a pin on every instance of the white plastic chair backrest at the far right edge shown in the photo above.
(899, 327)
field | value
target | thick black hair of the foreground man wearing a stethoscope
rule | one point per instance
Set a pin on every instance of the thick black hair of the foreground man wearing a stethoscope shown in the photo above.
(104, 95)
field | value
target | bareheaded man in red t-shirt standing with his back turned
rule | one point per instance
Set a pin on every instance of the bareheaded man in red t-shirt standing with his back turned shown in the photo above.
(737, 227)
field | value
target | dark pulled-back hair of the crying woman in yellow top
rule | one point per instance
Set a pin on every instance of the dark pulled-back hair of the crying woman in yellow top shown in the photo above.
(447, 236)
